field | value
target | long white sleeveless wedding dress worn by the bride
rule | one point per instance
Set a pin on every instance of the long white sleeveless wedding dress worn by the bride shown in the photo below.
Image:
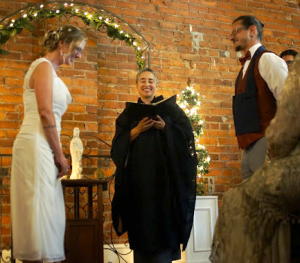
(37, 203)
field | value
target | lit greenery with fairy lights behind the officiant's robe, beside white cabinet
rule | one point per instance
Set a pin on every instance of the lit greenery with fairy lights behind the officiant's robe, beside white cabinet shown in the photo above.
(189, 101)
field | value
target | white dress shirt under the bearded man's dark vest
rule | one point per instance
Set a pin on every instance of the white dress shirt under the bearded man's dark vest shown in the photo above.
(272, 68)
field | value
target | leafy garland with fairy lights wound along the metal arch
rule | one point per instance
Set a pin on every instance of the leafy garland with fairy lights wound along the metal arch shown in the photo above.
(97, 20)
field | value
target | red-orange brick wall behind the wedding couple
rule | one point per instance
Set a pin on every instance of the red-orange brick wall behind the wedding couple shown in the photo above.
(188, 38)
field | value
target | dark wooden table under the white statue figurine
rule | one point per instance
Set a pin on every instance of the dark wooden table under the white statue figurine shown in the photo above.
(84, 231)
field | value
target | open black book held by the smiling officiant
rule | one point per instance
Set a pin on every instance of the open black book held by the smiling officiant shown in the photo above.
(138, 111)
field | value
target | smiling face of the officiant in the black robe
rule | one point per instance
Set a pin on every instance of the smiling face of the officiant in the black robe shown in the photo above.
(146, 86)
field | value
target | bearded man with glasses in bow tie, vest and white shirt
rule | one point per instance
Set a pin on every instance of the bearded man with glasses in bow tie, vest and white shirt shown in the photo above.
(258, 85)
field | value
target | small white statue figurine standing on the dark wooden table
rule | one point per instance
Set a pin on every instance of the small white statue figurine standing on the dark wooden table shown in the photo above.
(76, 148)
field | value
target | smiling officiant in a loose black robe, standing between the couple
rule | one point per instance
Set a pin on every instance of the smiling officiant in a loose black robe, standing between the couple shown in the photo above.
(155, 185)
